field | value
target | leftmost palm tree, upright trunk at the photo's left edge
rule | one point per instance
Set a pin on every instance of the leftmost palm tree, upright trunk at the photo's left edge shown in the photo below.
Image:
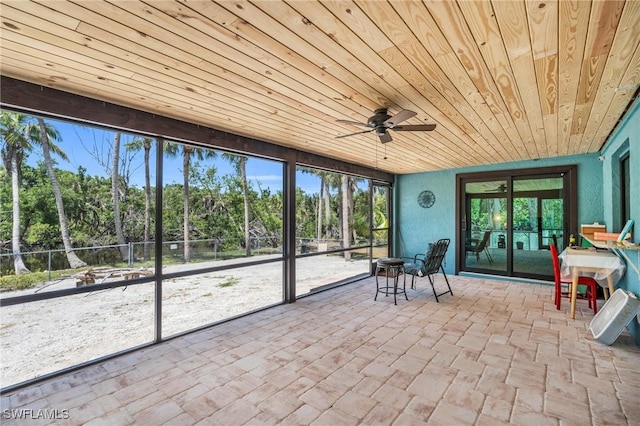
(14, 145)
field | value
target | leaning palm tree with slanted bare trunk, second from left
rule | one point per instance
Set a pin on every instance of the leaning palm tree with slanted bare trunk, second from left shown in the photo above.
(44, 134)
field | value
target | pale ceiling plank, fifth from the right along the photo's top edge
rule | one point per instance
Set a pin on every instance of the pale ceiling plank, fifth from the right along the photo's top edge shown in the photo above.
(512, 21)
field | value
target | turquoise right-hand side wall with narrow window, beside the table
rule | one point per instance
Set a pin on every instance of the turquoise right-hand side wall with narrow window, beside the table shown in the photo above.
(625, 139)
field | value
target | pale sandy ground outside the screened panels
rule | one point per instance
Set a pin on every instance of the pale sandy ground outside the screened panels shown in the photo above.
(42, 337)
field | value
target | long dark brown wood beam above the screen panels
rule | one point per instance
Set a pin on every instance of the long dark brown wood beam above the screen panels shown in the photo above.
(36, 99)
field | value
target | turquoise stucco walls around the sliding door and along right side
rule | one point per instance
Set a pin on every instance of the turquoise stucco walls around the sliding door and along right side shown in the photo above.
(598, 198)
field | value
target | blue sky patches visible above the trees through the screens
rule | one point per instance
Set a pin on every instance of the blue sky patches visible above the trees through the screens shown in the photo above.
(90, 147)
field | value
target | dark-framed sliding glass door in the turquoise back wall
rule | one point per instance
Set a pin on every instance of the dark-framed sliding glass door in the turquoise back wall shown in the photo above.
(508, 219)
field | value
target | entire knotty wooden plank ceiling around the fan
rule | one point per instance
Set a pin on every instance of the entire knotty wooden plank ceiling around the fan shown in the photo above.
(502, 80)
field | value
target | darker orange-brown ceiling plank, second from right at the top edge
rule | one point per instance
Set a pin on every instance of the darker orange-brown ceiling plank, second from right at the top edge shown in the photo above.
(603, 22)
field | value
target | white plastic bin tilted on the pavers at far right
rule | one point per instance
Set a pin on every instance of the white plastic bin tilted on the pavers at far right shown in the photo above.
(617, 312)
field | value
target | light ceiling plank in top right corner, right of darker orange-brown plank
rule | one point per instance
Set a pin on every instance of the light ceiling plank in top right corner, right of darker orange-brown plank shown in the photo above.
(626, 37)
